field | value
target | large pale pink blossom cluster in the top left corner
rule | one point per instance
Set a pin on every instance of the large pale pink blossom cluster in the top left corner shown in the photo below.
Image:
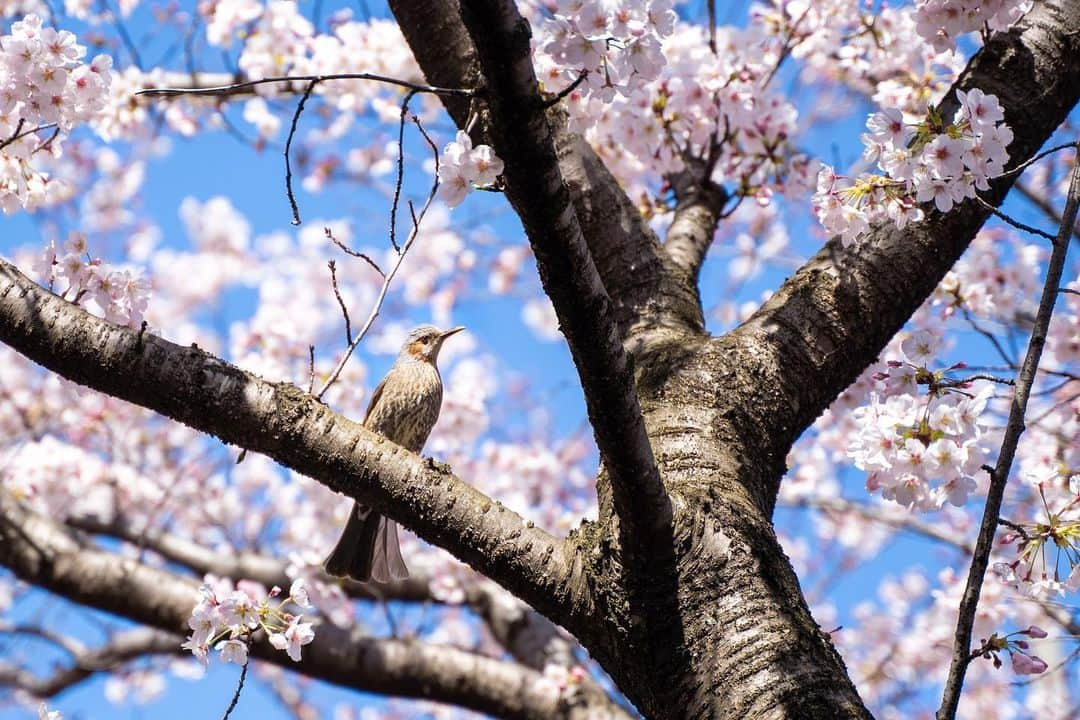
(44, 85)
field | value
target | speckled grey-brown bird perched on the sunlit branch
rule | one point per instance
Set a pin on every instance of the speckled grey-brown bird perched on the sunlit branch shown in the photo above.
(403, 409)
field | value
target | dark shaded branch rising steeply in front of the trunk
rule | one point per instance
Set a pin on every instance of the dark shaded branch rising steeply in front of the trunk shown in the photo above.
(524, 140)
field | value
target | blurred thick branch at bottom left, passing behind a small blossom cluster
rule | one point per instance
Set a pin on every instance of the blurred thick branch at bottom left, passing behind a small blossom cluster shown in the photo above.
(43, 553)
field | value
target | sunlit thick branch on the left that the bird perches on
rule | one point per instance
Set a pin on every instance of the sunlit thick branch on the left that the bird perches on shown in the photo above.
(282, 423)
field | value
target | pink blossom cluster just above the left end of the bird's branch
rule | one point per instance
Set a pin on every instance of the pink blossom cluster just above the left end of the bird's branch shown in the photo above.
(120, 294)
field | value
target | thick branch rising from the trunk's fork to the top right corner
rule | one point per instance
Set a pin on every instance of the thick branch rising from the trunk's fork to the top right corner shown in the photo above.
(831, 320)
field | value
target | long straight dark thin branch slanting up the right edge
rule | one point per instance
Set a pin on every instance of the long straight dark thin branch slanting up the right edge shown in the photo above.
(1000, 477)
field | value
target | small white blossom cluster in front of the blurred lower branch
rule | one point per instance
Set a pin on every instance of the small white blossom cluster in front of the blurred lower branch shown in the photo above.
(227, 623)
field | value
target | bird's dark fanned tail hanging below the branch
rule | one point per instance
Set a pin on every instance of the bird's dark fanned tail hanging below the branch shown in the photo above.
(368, 549)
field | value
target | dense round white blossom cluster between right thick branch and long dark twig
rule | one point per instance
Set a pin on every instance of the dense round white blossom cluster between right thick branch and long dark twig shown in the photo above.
(921, 454)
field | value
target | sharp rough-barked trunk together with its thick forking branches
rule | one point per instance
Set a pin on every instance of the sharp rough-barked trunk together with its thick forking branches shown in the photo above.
(707, 619)
